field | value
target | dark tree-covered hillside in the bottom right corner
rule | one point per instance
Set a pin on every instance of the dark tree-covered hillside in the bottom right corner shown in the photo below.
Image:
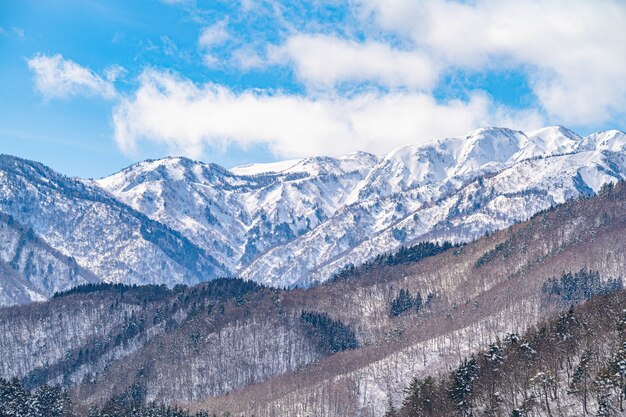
(571, 365)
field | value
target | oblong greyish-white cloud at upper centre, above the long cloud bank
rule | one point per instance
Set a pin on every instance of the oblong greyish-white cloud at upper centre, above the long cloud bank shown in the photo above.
(329, 60)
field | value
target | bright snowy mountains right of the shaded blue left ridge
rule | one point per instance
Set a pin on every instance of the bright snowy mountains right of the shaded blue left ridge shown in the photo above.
(294, 222)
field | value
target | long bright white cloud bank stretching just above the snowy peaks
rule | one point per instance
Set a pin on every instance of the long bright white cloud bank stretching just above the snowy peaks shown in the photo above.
(171, 110)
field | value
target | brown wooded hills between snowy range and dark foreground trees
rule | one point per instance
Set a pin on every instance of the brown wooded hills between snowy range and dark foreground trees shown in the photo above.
(341, 348)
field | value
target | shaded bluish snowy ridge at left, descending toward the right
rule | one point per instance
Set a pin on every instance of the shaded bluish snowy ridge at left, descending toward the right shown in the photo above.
(104, 236)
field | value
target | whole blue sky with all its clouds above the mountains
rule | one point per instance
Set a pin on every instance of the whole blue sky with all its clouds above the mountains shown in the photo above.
(89, 86)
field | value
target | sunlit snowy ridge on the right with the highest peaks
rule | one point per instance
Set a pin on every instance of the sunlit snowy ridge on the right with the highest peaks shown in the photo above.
(454, 193)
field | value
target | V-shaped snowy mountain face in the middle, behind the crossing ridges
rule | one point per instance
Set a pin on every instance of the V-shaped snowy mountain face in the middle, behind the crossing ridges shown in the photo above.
(237, 218)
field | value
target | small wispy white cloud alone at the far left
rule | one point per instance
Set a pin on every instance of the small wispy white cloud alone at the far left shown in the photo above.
(56, 77)
